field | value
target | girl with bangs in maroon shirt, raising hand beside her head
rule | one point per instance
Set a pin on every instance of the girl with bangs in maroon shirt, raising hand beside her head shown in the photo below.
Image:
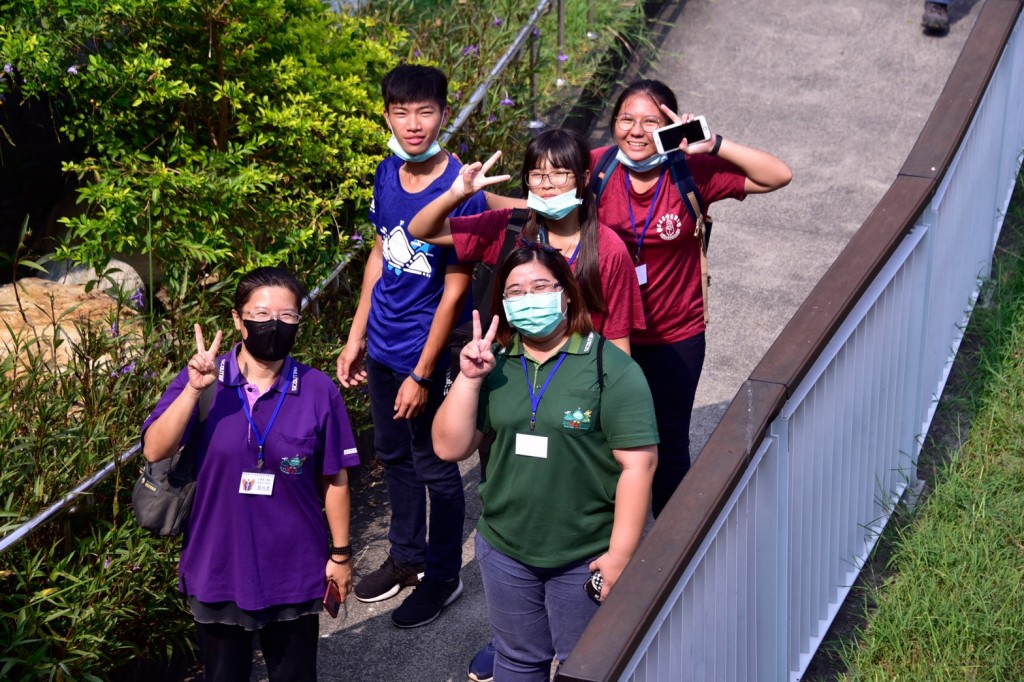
(556, 174)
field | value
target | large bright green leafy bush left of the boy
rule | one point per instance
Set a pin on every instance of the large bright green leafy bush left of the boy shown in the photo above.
(211, 135)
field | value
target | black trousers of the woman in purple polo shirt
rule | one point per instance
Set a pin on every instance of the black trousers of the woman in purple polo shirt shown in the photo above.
(289, 650)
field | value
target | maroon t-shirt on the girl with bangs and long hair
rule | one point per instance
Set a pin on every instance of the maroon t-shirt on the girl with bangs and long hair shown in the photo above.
(480, 238)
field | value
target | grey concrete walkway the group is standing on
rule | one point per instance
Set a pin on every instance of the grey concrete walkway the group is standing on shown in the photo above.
(838, 91)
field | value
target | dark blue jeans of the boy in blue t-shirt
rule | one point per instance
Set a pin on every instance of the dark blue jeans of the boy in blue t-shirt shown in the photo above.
(412, 473)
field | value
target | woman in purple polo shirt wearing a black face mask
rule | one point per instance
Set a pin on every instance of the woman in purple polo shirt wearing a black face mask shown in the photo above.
(258, 553)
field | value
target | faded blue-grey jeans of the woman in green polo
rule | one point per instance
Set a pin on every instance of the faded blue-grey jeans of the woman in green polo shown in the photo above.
(536, 614)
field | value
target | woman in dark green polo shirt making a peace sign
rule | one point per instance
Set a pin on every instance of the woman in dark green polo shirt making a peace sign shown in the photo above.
(570, 475)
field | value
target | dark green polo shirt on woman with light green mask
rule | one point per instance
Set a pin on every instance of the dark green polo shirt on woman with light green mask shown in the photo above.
(557, 510)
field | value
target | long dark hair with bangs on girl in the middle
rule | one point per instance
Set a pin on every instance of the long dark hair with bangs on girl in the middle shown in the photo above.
(566, 149)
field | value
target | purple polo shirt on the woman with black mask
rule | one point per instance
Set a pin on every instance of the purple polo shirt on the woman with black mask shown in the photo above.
(253, 550)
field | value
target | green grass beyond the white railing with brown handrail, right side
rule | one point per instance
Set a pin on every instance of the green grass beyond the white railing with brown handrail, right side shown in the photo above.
(954, 609)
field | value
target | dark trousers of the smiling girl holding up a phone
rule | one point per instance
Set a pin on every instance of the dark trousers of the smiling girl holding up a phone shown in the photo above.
(672, 371)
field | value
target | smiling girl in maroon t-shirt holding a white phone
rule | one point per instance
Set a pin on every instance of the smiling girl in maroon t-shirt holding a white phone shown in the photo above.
(642, 204)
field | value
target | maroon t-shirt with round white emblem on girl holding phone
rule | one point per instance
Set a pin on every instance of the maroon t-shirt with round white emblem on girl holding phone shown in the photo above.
(672, 302)
